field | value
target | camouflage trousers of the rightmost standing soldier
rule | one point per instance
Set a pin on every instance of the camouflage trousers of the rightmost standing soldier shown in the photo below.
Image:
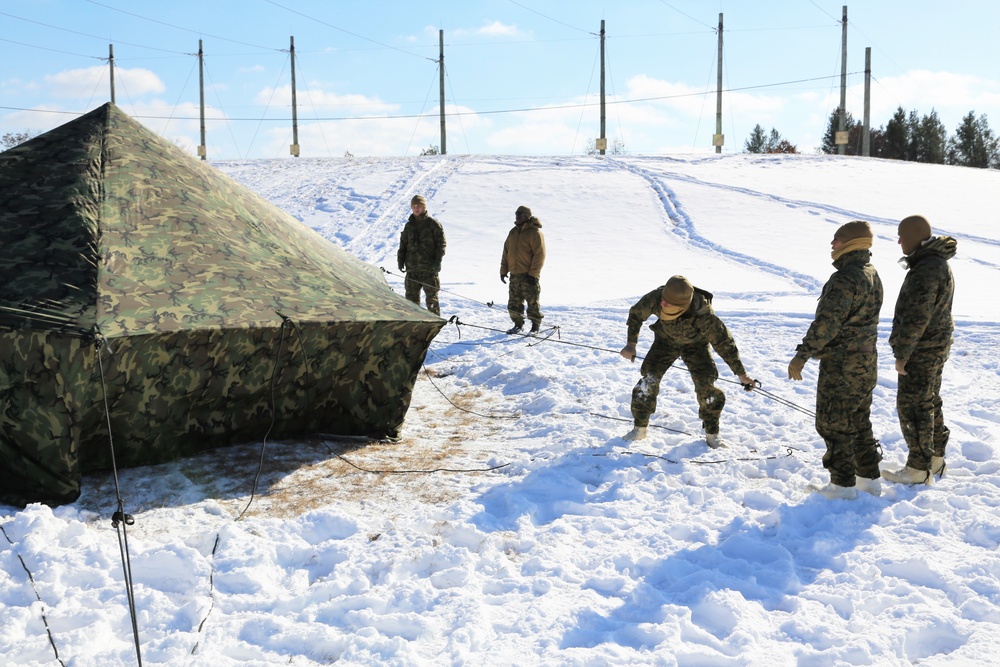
(918, 402)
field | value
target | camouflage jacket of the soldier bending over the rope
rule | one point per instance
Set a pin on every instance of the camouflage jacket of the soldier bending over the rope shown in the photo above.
(698, 326)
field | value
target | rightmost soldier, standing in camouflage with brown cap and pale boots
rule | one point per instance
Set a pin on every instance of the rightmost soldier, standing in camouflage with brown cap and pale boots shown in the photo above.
(921, 340)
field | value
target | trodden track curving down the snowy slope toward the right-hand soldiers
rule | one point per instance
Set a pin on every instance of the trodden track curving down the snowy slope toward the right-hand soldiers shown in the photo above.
(685, 227)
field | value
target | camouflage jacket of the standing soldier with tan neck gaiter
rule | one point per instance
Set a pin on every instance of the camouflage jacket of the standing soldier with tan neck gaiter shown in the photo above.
(848, 309)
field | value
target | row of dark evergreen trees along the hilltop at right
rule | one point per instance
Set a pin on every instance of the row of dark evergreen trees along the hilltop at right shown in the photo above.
(906, 136)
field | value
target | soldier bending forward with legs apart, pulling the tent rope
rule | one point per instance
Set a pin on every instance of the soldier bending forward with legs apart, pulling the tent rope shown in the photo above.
(686, 325)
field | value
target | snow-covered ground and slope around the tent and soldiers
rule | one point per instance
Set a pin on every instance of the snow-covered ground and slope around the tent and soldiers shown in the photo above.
(541, 537)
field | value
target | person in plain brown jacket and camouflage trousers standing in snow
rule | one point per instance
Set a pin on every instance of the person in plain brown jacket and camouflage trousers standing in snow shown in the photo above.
(523, 257)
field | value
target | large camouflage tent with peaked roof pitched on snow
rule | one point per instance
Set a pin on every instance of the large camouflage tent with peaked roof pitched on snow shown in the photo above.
(150, 302)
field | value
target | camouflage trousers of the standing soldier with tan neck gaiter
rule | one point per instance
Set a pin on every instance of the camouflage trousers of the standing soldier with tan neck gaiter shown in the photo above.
(843, 416)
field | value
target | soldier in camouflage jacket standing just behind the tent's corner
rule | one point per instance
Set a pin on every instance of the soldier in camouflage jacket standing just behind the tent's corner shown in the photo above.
(421, 249)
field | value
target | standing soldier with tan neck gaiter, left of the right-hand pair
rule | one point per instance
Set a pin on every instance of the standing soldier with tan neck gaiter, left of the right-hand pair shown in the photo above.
(842, 336)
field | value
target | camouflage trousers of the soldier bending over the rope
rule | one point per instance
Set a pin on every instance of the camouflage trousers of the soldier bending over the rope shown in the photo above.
(703, 371)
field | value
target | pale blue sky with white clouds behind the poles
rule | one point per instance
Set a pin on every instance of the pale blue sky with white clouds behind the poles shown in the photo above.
(522, 77)
